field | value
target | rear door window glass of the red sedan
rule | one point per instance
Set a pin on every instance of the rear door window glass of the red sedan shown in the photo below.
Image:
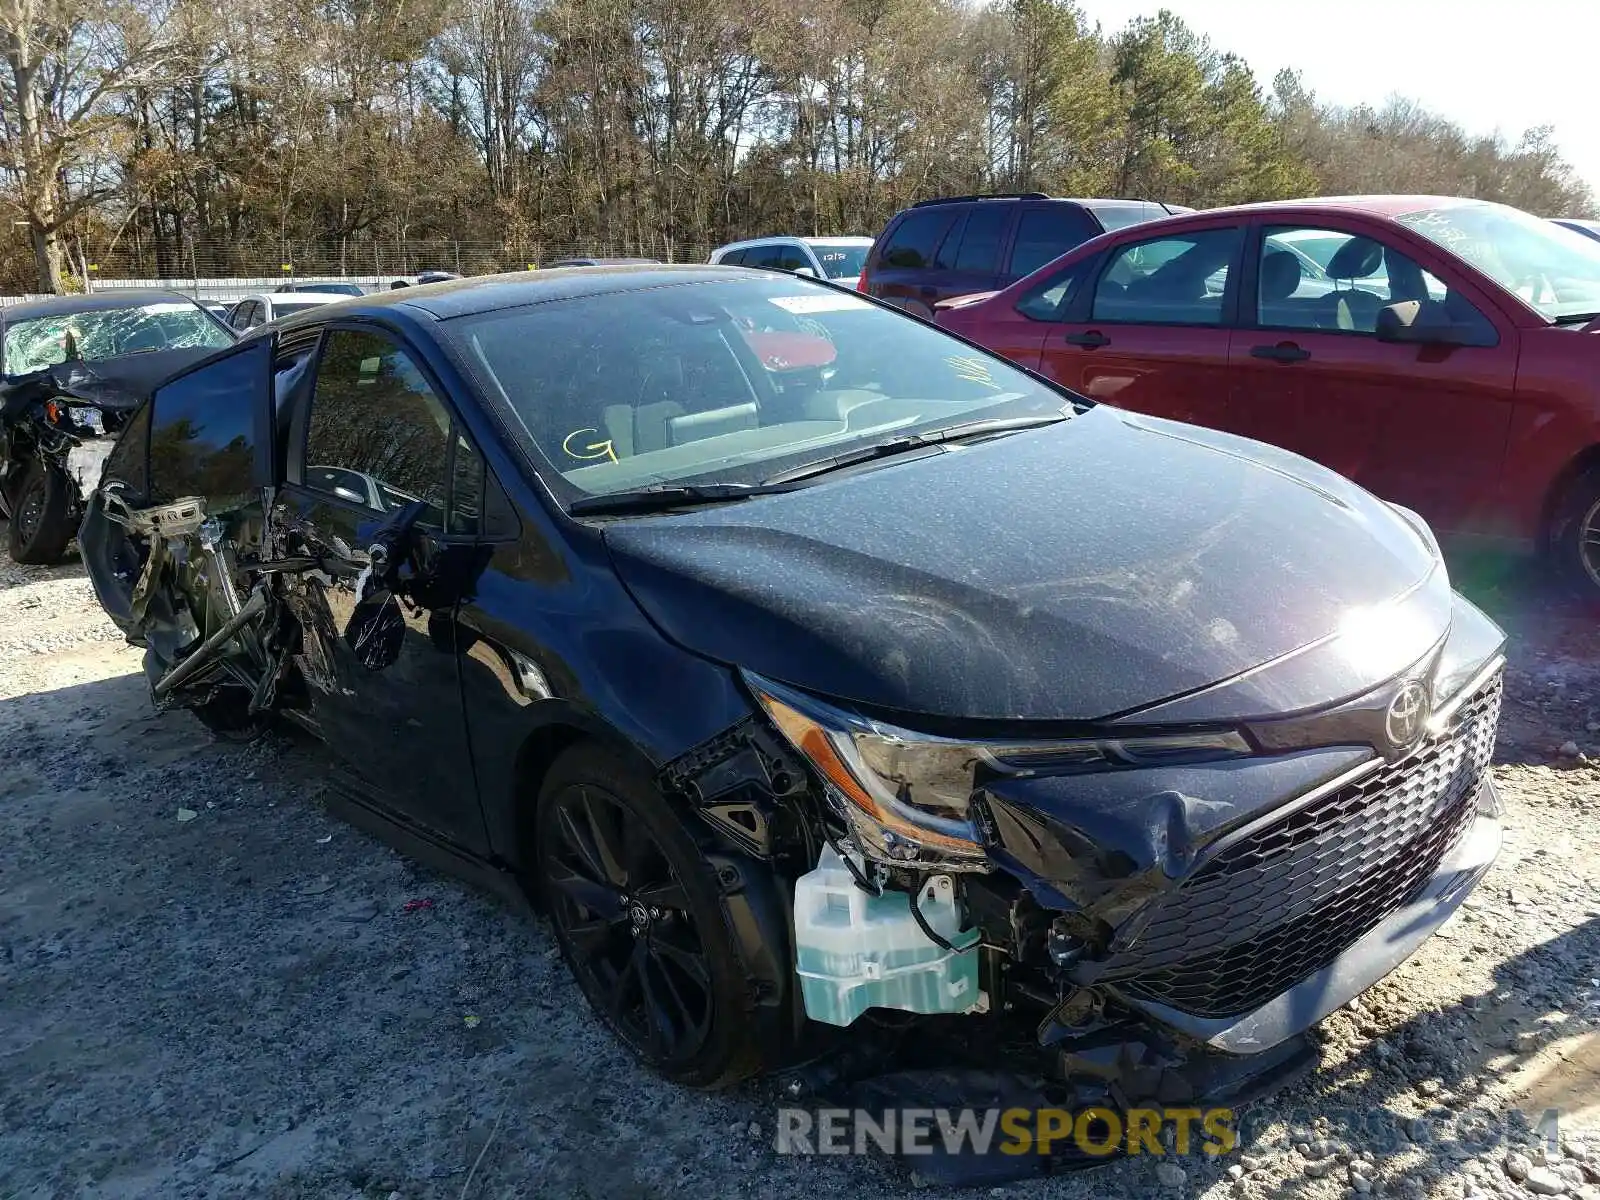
(1169, 281)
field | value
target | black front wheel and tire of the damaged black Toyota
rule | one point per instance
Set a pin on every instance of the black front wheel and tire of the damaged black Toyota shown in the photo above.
(639, 919)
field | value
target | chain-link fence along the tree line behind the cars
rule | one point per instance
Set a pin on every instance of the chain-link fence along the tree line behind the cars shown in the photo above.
(230, 271)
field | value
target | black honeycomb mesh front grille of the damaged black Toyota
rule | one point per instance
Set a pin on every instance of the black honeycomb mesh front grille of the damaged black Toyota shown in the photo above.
(1284, 902)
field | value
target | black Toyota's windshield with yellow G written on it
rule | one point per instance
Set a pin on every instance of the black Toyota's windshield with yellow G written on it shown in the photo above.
(729, 382)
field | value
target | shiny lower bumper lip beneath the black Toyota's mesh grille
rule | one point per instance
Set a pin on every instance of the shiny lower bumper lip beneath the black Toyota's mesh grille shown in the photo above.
(1366, 962)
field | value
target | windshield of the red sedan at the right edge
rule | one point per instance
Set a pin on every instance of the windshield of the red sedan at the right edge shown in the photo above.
(1551, 268)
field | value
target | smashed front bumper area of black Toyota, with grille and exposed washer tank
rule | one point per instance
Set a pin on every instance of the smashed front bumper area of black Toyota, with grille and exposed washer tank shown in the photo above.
(1140, 930)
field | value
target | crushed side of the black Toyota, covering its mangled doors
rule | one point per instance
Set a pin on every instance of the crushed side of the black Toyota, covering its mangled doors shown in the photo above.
(258, 582)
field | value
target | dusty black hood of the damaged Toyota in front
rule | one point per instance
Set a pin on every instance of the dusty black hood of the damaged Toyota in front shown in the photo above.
(1081, 572)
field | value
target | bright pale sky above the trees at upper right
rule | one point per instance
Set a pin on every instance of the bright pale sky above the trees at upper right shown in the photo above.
(1484, 65)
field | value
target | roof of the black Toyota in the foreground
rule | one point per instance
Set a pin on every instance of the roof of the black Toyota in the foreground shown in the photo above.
(489, 294)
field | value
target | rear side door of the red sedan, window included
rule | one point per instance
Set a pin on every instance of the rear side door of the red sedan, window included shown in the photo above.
(1153, 335)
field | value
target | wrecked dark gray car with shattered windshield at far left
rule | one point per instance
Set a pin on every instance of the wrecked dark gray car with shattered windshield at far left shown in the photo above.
(71, 372)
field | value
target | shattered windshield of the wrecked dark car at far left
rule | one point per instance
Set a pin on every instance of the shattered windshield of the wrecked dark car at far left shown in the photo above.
(108, 334)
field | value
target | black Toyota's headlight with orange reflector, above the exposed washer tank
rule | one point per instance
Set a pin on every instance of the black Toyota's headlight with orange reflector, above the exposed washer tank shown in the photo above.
(908, 796)
